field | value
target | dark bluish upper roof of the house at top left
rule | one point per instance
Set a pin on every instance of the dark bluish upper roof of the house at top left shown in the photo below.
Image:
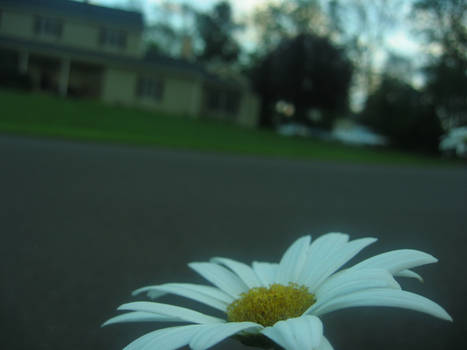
(122, 18)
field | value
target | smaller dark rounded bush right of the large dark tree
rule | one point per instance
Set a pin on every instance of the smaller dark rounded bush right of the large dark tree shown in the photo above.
(404, 115)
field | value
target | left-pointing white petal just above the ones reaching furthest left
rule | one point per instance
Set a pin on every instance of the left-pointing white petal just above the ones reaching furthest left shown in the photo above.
(204, 294)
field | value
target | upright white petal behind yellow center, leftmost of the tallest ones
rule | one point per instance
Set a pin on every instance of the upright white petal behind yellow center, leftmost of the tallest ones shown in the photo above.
(292, 261)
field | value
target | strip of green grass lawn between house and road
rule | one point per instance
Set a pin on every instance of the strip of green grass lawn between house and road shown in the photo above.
(50, 116)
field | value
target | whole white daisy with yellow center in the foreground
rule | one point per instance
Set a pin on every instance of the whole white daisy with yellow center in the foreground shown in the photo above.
(278, 305)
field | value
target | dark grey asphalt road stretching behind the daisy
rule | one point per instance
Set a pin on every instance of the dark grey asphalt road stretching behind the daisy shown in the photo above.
(83, 225)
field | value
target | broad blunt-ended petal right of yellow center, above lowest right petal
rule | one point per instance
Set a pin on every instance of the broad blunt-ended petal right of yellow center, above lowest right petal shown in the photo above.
(350, 281)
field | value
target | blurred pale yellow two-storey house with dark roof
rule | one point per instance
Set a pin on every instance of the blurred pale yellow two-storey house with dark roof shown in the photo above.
(80, 49)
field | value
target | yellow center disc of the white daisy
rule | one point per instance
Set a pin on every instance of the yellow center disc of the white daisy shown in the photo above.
(266, 306)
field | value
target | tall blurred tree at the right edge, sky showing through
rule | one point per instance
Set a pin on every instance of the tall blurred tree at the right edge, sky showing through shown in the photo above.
(444, 25)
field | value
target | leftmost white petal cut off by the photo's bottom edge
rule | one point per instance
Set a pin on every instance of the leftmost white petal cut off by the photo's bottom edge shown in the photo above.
(165, 339)
